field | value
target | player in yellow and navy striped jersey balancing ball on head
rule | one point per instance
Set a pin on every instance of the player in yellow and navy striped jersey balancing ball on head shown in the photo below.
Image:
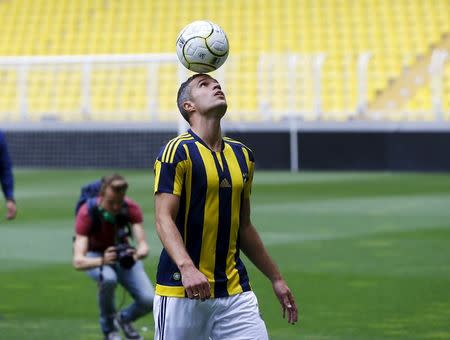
(202, 201)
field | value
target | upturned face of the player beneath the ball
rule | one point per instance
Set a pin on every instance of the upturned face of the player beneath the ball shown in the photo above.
(207, 95)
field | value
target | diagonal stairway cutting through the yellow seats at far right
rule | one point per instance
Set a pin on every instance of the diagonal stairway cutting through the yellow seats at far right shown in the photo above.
(402, 88)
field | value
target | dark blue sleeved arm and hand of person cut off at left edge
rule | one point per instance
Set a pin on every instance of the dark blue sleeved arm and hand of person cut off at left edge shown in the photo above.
(7, 178)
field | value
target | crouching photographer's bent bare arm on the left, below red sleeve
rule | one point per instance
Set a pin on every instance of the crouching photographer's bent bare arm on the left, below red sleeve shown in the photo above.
(82, 262)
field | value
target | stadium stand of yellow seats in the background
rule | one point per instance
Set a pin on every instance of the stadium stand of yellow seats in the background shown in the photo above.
(396, 33)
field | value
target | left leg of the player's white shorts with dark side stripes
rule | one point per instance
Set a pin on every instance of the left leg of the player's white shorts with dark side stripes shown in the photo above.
(180, 318)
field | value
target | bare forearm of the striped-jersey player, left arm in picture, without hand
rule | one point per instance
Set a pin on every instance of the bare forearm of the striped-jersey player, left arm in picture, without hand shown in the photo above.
(172, 242)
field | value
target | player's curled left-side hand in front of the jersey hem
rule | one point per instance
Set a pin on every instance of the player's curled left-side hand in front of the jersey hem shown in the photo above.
(195, 283)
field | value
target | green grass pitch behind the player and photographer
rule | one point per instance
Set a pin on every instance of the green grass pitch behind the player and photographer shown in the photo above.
(367, 255)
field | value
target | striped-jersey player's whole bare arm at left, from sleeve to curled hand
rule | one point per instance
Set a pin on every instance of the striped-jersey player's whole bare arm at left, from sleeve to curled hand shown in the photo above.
(166, 208)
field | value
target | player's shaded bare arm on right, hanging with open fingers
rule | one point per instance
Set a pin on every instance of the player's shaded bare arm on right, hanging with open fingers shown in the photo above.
(253, 247)
